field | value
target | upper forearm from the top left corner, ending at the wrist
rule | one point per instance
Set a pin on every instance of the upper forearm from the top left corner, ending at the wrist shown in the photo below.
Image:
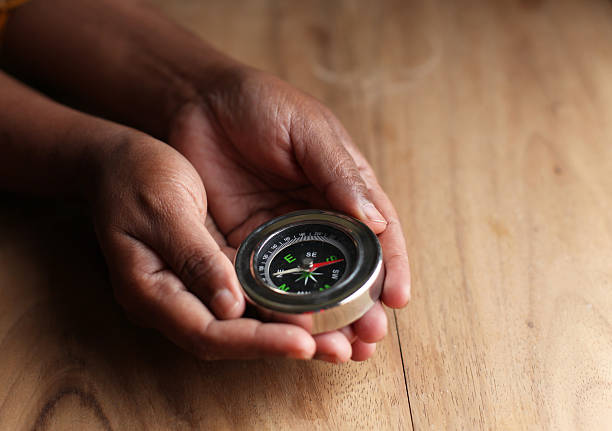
(127, 62)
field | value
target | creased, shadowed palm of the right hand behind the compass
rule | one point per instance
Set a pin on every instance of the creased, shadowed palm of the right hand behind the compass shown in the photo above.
(248, 180)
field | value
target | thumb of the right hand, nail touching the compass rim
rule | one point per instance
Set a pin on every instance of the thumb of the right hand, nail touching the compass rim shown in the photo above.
(329, 166)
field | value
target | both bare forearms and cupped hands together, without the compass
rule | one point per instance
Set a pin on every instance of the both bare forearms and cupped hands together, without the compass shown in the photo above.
(203, 149)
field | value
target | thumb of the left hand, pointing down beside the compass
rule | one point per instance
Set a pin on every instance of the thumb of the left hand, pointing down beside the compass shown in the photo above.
(182, 240)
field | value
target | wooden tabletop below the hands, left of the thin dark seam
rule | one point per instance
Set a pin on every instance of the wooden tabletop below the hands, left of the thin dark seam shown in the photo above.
(70, 360)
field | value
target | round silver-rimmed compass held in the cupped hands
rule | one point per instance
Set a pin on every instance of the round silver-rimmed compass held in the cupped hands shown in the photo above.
(313, 262)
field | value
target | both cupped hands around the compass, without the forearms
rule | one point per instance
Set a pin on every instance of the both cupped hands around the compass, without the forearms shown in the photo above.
(169, 218)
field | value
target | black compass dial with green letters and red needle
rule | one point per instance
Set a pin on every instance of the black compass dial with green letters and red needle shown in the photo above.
(305, 259)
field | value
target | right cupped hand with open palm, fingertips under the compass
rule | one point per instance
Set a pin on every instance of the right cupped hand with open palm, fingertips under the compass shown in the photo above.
(262, 149)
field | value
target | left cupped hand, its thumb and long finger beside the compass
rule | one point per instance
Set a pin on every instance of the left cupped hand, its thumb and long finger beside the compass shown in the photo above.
(168, 261)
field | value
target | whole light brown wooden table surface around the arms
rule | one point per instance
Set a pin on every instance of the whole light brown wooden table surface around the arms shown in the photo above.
(489, 124)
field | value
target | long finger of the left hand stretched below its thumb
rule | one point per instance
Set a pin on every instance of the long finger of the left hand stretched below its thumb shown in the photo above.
(160, 299)
